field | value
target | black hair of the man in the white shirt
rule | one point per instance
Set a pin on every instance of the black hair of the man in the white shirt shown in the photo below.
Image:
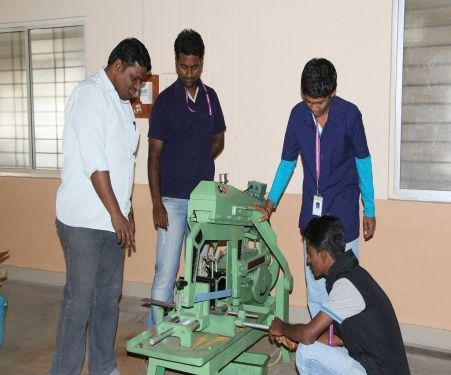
(129, 51)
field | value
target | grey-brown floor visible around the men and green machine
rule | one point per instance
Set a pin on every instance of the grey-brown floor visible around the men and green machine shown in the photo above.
(31, 325)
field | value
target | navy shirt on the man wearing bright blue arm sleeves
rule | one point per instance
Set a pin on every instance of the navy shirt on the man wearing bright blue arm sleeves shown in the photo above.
(342, 140)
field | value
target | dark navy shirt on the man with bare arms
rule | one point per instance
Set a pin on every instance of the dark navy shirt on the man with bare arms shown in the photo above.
(186, 157)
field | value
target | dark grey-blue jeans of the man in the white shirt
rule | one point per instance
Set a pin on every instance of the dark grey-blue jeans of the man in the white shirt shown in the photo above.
(94, 271)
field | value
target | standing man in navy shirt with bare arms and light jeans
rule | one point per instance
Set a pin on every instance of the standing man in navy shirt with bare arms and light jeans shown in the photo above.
(186, 134)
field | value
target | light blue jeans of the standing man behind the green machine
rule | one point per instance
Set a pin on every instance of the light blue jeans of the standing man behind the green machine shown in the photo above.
(169, 247)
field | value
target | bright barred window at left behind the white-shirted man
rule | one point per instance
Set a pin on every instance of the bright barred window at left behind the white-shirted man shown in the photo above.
(39, 67)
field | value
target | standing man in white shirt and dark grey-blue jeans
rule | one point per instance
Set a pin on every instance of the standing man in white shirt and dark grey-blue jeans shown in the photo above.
(93, 208)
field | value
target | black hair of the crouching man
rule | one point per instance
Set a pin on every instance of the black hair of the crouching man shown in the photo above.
(326, 233)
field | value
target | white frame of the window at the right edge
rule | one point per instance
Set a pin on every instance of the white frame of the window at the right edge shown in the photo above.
(395, 191)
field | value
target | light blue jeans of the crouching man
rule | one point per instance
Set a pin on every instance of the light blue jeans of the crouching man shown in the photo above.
(321, 359)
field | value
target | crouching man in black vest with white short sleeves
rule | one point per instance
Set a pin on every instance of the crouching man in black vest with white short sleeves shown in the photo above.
(356, 330)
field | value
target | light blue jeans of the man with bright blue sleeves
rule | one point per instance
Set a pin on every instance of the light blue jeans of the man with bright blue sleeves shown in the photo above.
(316, 289)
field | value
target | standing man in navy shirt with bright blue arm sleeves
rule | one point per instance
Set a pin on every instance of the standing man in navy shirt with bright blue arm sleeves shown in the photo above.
(327, 133)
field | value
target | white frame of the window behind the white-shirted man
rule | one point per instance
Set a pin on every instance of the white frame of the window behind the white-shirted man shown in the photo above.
(25, 27)
